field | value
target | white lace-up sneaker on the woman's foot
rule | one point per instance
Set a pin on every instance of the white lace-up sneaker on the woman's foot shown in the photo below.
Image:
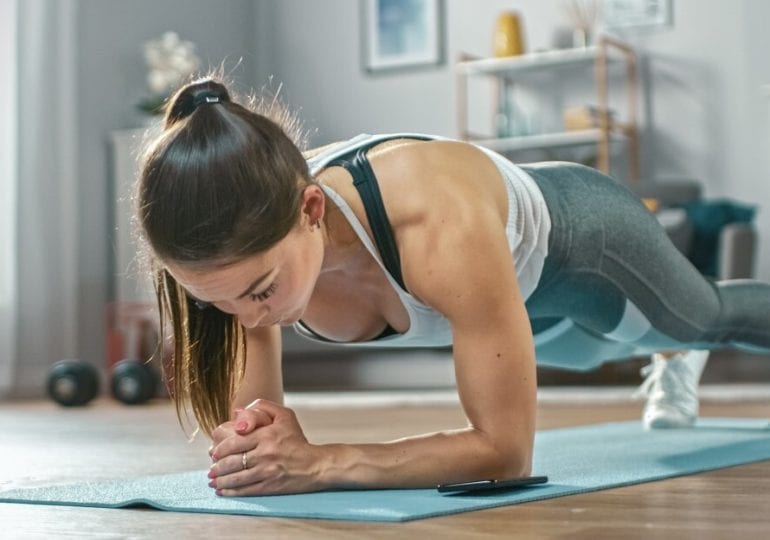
(671, 387)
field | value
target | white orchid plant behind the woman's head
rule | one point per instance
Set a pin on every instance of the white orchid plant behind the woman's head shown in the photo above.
(170, 62)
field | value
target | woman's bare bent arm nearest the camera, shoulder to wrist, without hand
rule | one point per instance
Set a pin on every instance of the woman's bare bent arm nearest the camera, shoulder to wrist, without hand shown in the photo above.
(467, 274)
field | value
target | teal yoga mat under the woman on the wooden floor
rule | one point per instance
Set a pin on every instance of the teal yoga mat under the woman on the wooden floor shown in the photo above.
(577, 460)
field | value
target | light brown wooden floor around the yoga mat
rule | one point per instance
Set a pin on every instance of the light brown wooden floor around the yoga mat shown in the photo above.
(41, 444)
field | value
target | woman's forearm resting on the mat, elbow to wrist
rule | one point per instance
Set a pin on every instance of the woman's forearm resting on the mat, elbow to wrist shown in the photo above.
(421, 461)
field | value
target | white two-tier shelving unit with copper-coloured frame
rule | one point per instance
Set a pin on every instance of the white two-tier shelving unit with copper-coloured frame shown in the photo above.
(510, 70)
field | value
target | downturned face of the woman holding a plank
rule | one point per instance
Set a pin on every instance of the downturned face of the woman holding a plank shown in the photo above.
(270, 288)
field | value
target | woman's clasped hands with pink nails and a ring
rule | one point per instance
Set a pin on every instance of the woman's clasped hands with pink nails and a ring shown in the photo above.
(263, 451)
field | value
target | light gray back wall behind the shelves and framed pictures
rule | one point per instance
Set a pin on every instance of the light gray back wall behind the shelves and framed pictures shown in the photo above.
(706, 116)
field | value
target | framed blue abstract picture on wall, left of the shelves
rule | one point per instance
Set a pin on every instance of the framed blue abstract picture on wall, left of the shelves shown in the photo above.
(402, 34)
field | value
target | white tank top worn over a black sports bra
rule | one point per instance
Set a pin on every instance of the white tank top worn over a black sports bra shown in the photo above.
(527, 231)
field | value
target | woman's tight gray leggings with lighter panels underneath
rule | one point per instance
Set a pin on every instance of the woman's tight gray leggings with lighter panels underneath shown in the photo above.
(614, 286)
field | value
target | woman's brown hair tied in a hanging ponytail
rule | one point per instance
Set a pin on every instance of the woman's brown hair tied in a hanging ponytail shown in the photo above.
(222, 182)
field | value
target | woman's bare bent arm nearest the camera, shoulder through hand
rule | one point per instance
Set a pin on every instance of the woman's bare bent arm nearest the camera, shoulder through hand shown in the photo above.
(458, 261)
